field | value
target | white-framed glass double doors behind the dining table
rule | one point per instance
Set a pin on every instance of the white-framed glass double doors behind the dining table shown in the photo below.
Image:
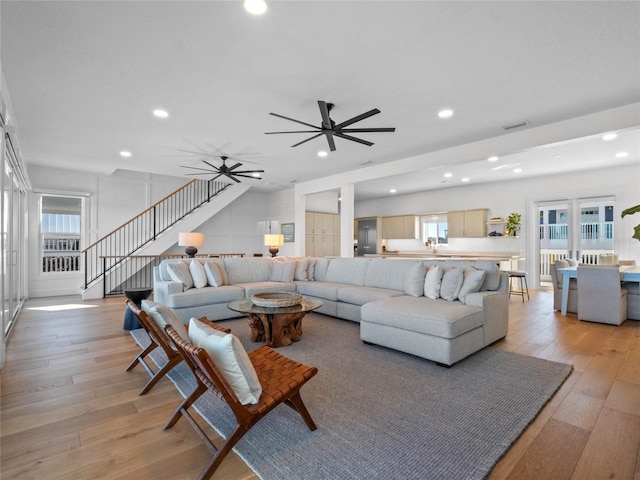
(580, 229)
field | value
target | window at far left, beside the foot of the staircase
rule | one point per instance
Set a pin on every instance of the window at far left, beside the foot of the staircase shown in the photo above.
(60, 229)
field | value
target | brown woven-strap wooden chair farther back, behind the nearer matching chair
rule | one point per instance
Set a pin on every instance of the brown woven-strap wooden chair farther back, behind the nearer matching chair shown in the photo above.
(158, 339)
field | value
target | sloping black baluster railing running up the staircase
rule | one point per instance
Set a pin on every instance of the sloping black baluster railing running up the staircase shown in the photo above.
(145, 227)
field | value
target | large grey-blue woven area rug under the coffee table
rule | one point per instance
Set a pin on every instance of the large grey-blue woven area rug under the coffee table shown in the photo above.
(384, 414)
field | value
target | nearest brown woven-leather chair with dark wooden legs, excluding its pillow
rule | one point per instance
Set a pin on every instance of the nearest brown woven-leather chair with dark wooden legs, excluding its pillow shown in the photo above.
(280, 377)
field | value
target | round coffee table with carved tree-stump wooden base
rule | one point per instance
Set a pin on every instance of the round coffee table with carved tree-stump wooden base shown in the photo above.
(277, 326)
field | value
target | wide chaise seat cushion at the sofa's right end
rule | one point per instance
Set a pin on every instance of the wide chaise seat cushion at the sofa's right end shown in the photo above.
(424, 315)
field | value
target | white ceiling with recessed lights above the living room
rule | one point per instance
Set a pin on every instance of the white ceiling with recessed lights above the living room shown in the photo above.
(85, 76)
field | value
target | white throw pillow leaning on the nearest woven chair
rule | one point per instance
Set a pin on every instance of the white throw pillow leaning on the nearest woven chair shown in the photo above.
(231, 359)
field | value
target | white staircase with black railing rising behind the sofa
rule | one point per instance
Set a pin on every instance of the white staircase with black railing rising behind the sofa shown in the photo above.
(155, 230)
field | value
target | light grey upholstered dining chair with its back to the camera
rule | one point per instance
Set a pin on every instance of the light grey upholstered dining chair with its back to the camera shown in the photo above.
(601, 297)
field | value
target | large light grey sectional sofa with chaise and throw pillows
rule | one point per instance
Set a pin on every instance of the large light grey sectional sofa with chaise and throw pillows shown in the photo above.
(386, 296)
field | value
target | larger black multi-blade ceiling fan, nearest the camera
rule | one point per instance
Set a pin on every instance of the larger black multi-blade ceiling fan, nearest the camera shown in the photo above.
(330, 129)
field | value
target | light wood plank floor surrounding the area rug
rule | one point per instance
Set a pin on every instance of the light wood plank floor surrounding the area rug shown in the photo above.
(69, 411)
